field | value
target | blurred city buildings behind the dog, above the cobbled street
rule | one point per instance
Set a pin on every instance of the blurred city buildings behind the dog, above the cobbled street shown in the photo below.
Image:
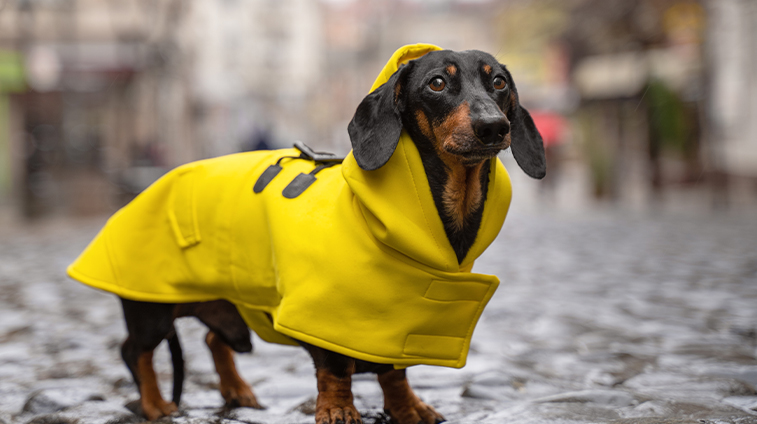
(99, 98)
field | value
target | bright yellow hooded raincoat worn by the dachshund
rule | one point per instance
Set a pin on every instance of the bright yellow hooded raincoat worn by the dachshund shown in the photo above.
(359, 263)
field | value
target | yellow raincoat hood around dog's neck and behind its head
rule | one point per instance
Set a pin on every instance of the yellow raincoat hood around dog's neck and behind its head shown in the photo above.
(402, 183)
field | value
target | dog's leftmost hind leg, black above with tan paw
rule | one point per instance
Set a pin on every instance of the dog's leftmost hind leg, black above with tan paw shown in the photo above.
(148, 324)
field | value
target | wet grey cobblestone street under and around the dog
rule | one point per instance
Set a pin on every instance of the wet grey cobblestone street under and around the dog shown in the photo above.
(600, 317)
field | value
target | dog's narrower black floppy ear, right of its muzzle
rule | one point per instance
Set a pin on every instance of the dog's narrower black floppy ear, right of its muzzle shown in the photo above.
(526, 142)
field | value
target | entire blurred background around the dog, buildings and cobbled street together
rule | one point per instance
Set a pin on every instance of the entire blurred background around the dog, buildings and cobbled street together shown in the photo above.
(629, 274)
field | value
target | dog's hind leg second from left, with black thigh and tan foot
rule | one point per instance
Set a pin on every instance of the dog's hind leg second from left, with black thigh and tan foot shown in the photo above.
(228, 333)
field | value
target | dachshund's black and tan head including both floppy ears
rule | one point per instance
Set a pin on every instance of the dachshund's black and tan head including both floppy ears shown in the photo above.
(464, 103)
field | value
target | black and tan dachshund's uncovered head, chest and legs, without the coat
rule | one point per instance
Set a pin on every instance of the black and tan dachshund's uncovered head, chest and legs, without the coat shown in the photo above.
(460, 109)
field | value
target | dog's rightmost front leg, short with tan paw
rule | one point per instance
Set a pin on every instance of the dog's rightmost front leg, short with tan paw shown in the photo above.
(402, 404)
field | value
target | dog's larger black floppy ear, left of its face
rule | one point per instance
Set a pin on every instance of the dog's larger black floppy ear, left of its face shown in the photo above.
(376, 127)
